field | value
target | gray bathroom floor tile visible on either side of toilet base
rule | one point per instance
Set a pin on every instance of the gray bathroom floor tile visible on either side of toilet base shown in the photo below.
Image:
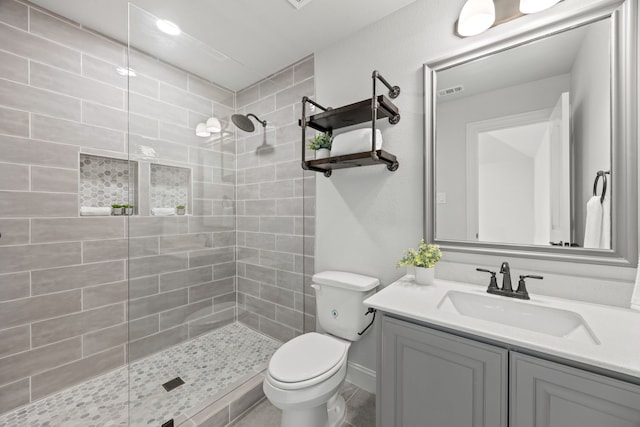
(361, 411)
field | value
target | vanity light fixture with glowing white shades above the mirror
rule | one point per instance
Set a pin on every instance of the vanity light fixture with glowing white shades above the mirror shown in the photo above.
(478, 16)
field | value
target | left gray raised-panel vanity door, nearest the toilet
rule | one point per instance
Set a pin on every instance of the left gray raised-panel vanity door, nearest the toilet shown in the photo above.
(433, 379)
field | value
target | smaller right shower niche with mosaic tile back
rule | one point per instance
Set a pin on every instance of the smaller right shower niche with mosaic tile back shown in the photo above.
(169, 186)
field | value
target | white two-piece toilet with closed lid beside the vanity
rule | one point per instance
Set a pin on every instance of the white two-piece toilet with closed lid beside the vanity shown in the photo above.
(305, 374)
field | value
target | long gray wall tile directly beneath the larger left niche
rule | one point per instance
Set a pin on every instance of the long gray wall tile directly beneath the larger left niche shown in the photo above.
(46, 230)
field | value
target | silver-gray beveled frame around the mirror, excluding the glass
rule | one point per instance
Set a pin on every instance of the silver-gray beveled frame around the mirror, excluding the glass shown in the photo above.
(624, 137)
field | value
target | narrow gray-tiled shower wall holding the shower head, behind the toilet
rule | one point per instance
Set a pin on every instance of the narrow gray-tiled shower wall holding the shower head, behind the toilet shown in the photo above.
(275, 208)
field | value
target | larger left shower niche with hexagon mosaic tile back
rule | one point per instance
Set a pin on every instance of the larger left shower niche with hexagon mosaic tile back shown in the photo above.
(105, 181)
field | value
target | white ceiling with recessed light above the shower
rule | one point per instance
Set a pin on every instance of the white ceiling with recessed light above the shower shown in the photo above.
(257, 37)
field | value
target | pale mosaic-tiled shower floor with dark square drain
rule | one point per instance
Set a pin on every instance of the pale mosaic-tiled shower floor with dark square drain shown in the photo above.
(207, 364)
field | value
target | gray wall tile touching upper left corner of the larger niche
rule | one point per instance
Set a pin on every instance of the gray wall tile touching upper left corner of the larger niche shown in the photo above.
(29, 151)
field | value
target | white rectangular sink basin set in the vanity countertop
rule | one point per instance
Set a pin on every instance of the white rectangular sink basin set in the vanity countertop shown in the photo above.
(519, 314)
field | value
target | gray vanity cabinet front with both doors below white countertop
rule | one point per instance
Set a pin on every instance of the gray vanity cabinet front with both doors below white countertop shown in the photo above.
(430, 378)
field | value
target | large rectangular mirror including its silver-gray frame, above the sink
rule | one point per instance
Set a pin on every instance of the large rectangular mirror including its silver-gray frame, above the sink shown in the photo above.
(532, 142)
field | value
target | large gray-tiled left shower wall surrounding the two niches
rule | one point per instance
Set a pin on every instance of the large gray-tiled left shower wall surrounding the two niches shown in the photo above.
(63, 287)
